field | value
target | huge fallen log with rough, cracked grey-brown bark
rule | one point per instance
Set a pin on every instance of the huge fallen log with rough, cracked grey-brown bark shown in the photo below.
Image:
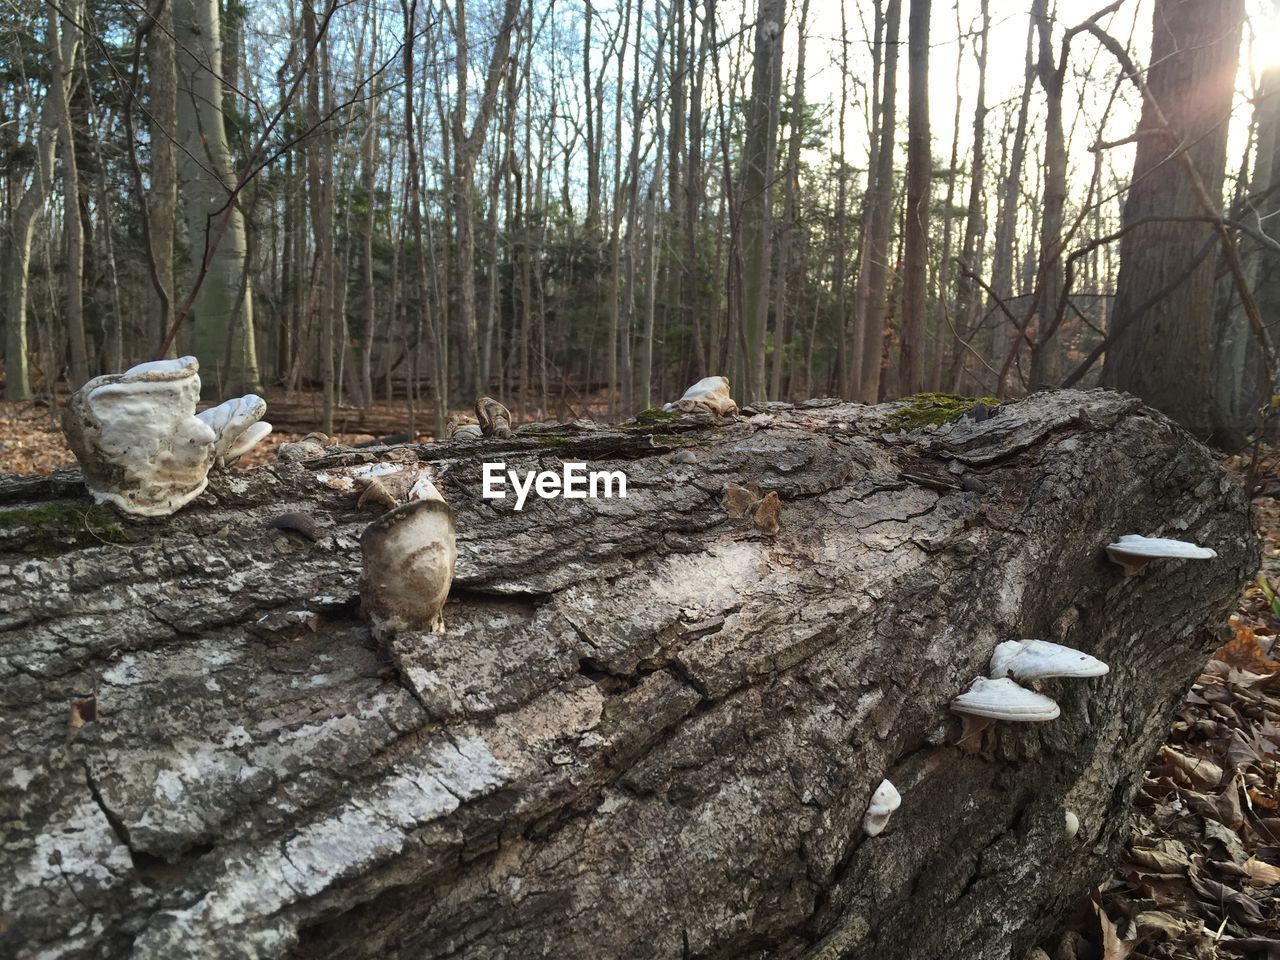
(650, 729)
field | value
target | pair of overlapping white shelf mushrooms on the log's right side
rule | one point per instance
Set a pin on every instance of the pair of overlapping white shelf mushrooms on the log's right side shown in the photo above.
(1003, 698)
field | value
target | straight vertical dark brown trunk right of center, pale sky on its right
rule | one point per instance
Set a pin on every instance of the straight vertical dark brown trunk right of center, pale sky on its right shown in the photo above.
(920, 166)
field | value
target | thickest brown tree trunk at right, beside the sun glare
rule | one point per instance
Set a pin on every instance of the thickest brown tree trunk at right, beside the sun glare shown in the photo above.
(1164, 355)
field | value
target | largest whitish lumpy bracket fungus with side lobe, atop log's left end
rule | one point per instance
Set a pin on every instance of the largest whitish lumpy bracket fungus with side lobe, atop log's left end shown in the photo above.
(140, 442)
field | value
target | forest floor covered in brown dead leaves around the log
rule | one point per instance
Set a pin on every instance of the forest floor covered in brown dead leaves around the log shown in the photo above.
(1201, 872)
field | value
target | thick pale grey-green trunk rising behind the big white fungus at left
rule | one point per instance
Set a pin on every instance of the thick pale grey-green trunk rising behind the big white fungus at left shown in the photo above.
(223, 312)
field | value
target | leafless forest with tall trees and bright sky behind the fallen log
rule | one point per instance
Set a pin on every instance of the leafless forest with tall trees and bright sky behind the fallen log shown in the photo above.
(573, 204)
